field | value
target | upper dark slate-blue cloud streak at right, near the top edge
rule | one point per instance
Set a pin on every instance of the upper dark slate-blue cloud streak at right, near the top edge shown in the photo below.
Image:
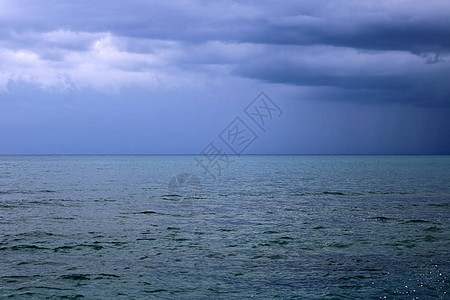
(378, 35)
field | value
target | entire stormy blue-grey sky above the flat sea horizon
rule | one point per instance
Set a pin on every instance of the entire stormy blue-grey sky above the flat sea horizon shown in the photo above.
(168, 77)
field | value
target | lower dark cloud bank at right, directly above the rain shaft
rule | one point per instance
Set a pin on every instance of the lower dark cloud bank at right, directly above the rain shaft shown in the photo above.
(399, 77)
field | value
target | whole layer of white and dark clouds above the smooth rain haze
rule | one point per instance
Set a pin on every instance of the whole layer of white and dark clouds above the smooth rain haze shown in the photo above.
(369, 51)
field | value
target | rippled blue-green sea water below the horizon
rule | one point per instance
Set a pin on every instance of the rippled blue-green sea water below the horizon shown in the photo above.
(288, 227)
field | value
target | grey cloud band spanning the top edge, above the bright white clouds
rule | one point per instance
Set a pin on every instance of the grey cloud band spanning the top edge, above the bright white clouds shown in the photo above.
(379, 25)
